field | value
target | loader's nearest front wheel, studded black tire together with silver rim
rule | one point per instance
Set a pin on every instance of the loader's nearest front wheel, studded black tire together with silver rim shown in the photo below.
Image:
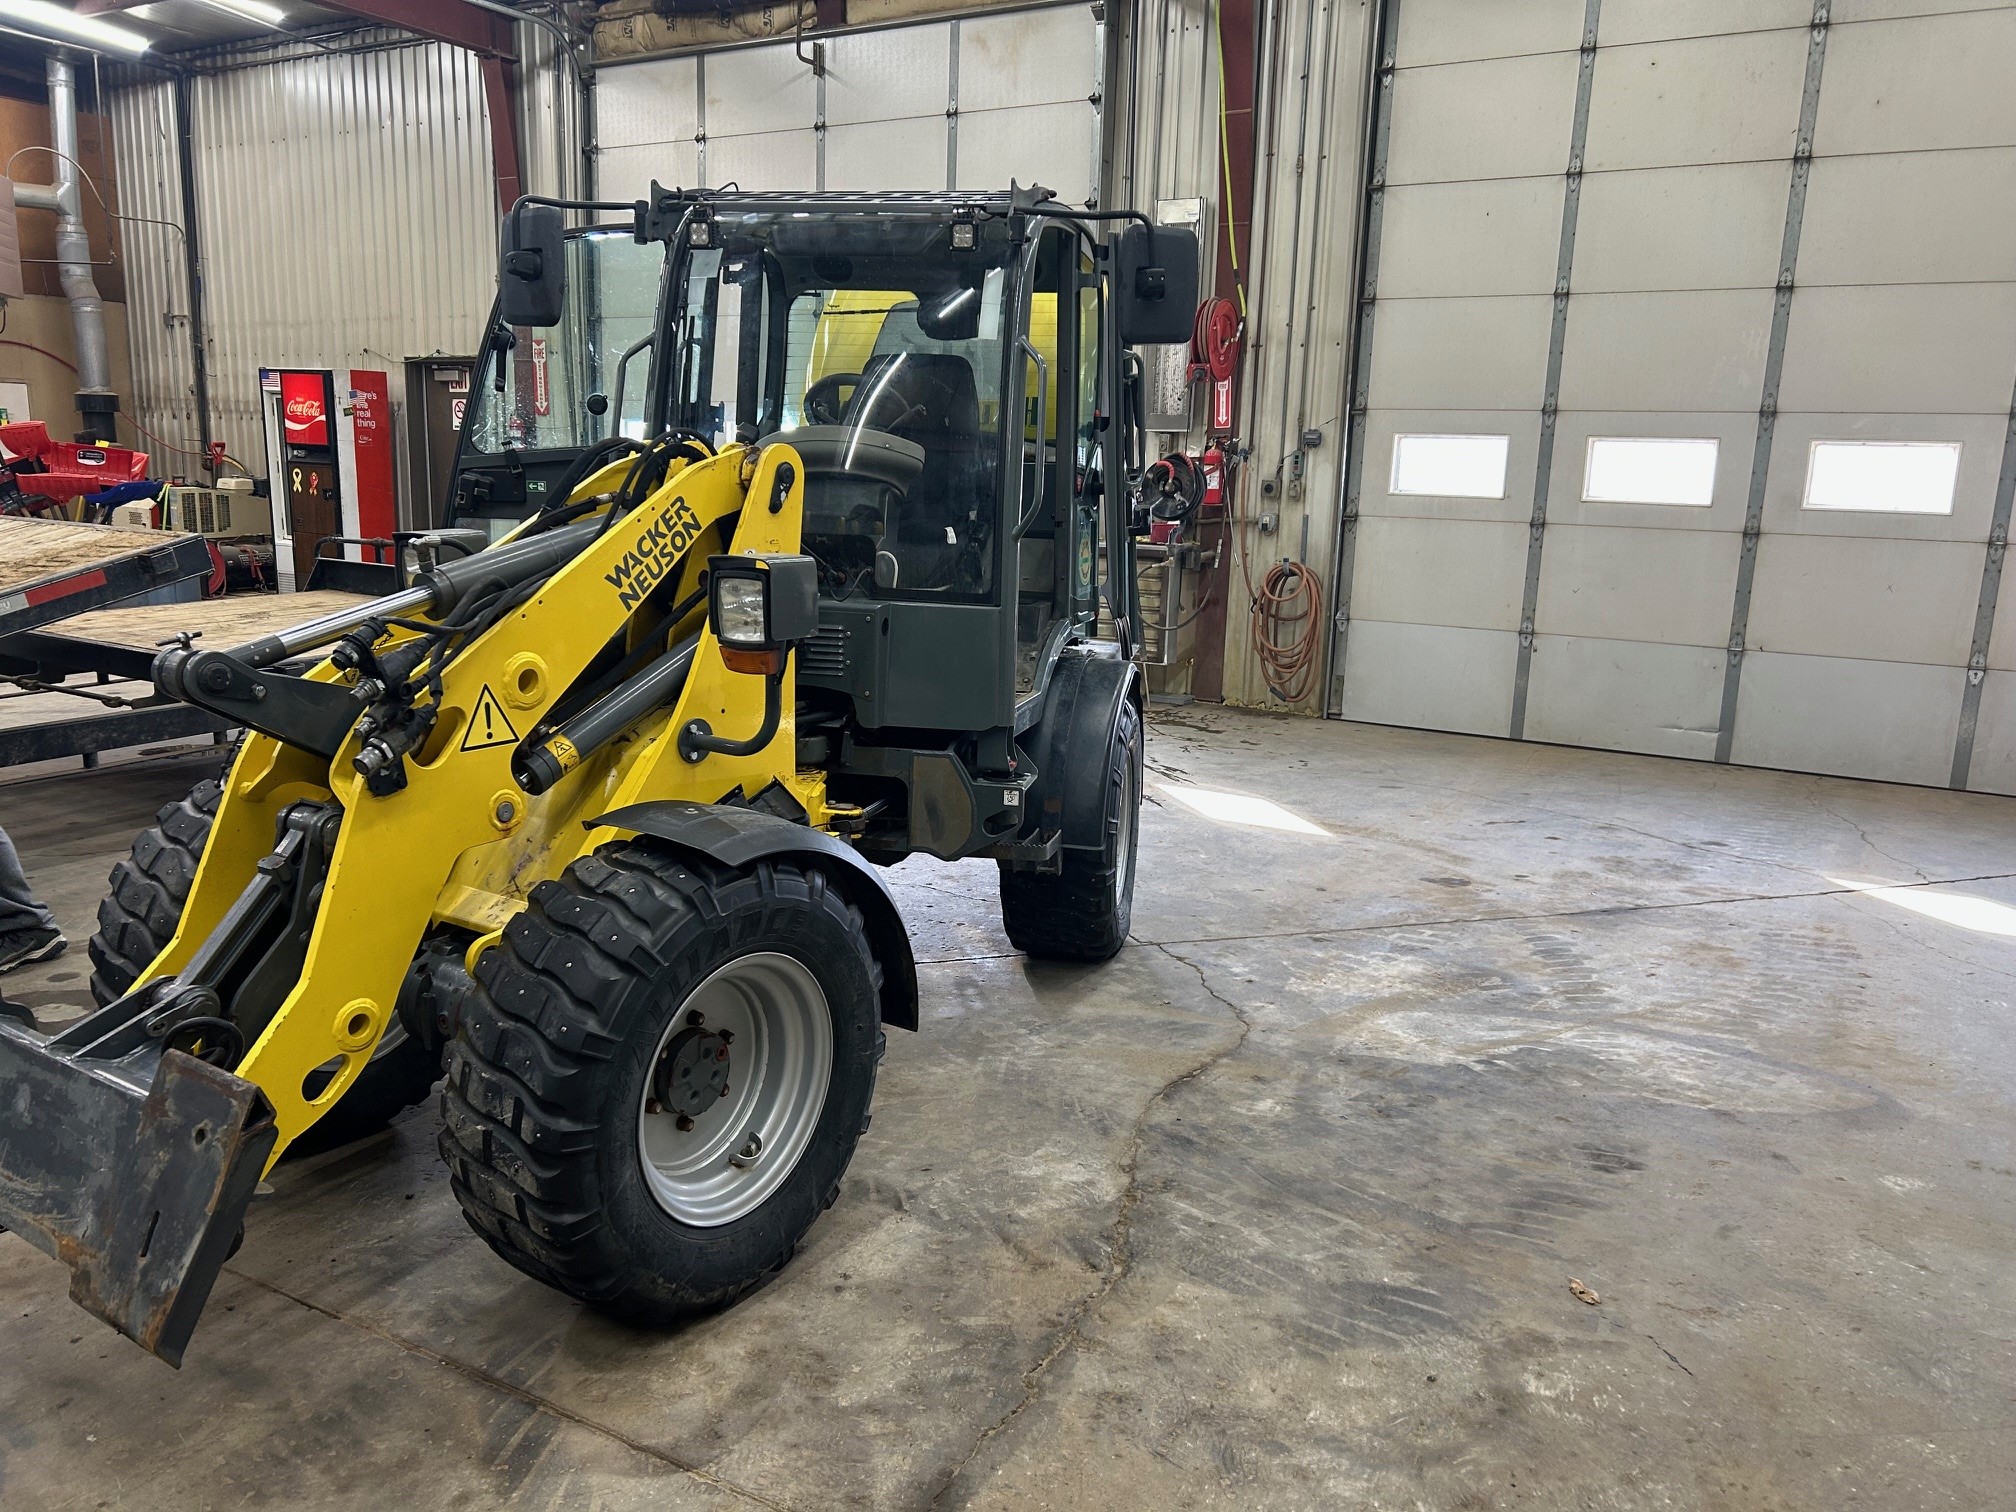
(553, 1148)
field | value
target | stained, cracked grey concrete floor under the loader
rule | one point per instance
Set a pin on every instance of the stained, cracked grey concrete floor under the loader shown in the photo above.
(1279, 1209)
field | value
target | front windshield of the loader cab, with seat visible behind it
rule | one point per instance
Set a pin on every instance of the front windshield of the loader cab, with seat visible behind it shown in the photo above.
(878, 350)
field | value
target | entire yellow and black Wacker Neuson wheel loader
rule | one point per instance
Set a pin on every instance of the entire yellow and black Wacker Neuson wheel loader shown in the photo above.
(781, 541)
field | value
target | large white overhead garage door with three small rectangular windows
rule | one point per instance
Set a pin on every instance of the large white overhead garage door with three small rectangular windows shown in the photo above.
(1686, 388)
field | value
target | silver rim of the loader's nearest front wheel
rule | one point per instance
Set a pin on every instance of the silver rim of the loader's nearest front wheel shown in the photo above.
(739, 1152)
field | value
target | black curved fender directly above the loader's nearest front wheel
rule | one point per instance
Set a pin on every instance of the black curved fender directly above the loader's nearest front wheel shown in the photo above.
(737, 838)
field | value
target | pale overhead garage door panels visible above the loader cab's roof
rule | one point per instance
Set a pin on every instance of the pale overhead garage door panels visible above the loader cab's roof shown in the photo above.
(942, 106)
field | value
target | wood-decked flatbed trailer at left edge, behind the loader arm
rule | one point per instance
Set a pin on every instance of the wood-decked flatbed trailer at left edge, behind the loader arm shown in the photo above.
(61, 648)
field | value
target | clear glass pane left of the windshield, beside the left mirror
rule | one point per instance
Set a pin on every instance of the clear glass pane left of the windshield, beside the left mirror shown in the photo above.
(545, 390)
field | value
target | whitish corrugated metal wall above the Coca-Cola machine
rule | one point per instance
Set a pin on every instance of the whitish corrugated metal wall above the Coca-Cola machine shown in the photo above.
(346, 209)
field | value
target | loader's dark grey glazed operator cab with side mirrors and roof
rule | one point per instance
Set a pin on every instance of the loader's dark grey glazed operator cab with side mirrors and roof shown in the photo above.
(955, 376)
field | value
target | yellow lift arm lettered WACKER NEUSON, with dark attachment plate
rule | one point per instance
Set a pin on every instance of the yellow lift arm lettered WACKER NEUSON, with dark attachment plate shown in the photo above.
(136, 1138)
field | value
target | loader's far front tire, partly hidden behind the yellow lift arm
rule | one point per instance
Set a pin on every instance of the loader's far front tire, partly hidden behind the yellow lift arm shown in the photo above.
(138, 918)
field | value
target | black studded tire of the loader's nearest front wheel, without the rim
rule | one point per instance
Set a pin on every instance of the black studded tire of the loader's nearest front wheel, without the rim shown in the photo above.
(545, 1080)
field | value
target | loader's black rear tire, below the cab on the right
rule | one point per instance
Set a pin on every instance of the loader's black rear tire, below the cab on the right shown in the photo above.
(1082, 914)
